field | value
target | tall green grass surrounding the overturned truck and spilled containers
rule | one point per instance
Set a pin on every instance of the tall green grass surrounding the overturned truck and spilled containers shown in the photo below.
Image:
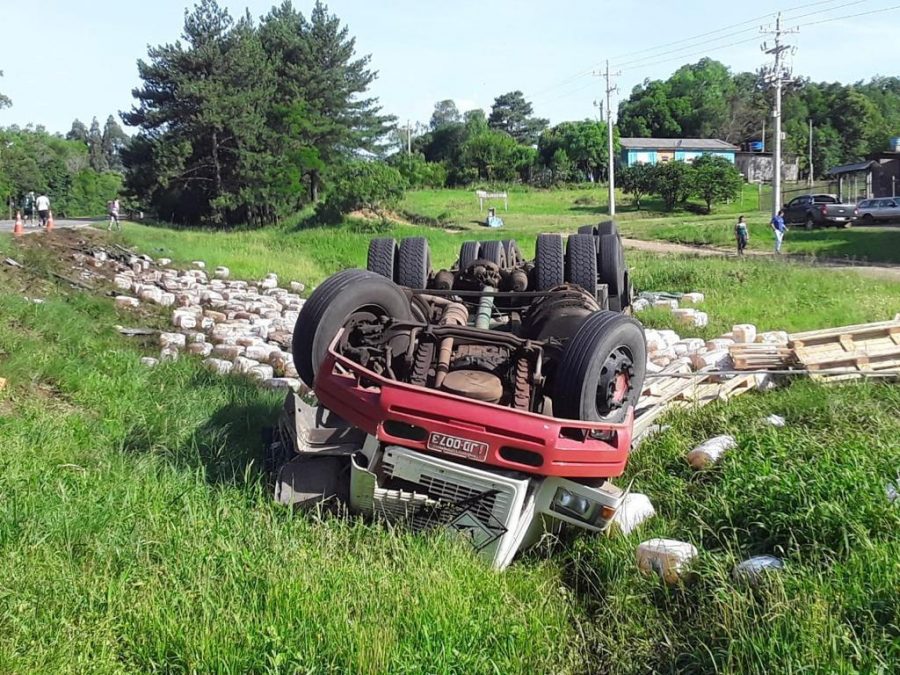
(137, 533)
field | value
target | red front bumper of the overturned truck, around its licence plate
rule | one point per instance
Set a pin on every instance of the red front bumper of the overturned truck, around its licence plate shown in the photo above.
(515, 439)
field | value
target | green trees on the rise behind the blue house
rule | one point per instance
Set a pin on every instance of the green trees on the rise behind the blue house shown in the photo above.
(705, 100)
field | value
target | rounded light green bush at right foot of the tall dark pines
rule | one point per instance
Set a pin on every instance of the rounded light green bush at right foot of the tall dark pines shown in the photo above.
(361, 185)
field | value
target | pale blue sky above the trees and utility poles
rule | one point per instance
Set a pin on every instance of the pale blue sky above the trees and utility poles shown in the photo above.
(78, 59)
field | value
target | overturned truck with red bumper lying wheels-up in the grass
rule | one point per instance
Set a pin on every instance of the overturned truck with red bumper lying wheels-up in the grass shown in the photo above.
(495, 398)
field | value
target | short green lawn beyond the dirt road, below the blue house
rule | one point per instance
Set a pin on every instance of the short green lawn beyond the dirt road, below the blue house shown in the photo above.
(560, 211)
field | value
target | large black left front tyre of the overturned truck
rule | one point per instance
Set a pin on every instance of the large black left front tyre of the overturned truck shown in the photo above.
(334, 301)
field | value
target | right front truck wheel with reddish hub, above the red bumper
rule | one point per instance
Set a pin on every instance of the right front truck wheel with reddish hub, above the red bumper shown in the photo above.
(602, 369)
